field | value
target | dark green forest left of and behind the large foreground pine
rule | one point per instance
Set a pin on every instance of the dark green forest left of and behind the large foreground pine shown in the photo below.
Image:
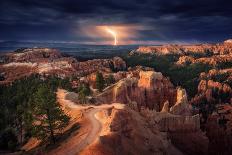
(16, 104)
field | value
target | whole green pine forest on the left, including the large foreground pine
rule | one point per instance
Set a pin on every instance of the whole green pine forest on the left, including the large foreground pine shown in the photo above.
(28, 108)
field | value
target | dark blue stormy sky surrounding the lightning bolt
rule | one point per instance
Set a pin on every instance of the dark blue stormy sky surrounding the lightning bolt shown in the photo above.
(146, 21)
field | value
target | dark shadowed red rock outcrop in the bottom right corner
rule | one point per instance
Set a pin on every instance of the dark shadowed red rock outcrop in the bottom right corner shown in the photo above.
(219, 129)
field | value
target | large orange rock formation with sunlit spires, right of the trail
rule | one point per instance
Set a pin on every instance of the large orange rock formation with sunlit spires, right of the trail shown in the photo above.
(175, 119)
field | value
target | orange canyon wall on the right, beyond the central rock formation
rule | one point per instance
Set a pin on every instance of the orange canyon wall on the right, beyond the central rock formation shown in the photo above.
(212, 97)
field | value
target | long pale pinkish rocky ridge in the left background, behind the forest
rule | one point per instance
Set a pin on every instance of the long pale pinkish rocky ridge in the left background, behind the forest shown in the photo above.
(51, 62)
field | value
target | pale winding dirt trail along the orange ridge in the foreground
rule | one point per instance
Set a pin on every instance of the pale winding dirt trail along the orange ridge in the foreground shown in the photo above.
(90, 131)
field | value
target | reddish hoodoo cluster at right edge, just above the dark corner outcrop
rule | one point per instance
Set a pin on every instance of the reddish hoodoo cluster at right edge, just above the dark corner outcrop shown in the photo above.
(214, 87)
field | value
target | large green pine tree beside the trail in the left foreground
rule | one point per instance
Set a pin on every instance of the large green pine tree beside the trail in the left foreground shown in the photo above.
(48, 116)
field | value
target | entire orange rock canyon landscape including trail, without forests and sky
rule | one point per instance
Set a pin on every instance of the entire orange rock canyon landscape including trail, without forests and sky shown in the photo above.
(142, 107)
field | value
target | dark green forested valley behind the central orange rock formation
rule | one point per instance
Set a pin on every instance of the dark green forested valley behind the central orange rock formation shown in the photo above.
(185, 76)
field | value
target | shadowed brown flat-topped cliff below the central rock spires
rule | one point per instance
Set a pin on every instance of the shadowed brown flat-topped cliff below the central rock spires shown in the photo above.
(184, 131)
